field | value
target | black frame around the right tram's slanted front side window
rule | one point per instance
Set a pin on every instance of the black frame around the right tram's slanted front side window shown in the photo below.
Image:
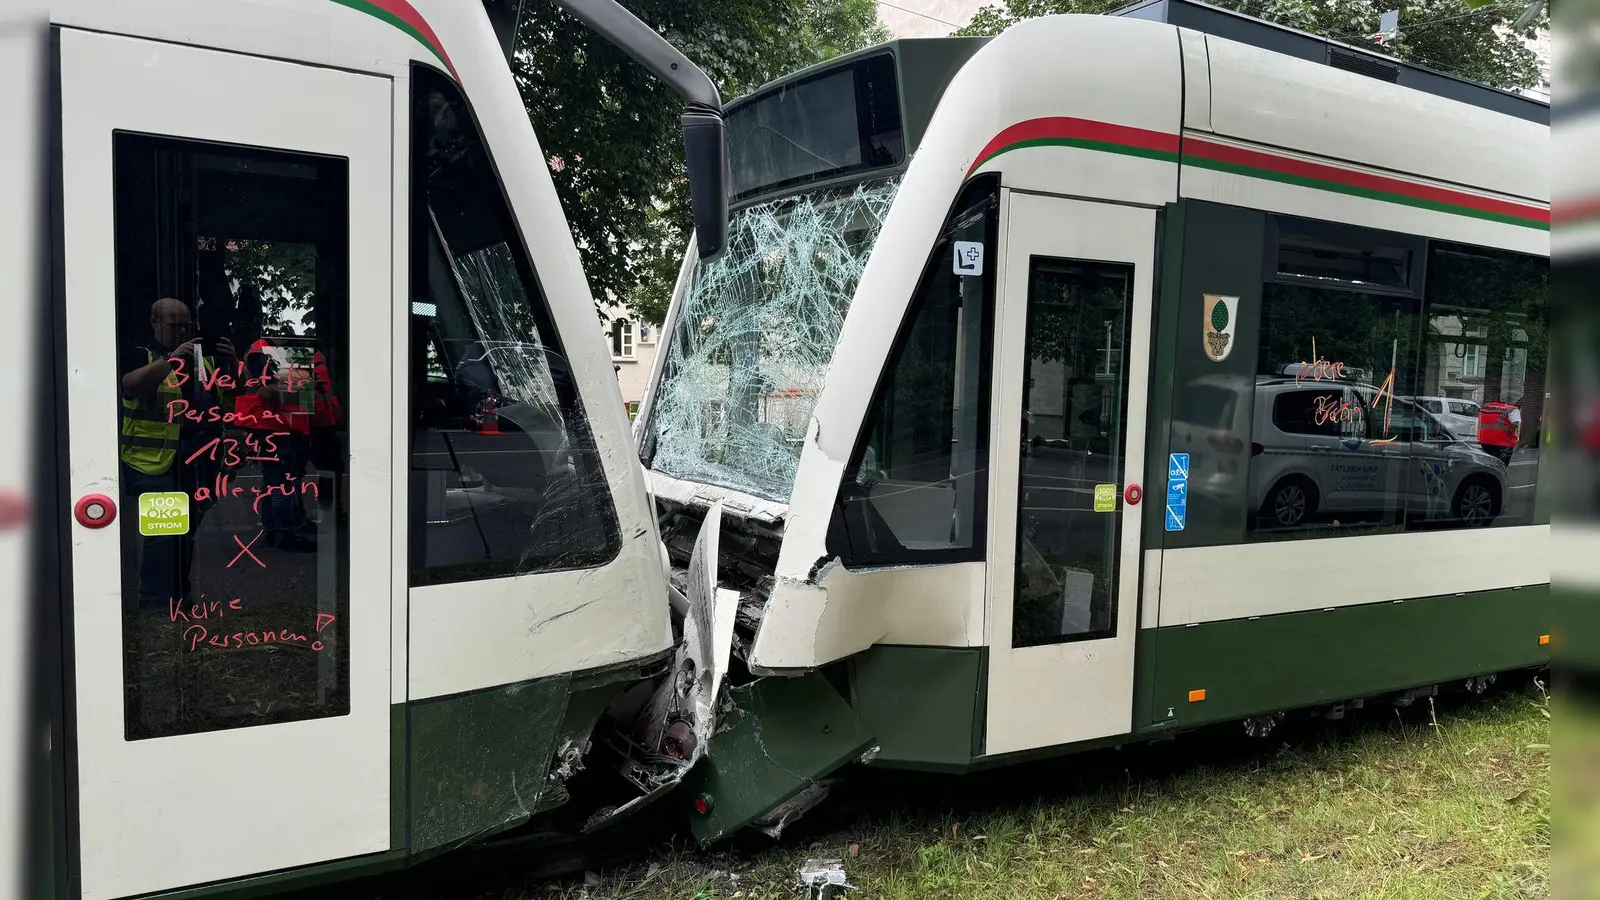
(839, 544)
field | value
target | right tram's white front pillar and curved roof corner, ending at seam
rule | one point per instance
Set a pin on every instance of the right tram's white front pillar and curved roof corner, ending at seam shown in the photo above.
(1049, 78)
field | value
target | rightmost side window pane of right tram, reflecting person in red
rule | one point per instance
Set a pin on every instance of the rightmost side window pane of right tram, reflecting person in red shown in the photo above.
(1486, 344)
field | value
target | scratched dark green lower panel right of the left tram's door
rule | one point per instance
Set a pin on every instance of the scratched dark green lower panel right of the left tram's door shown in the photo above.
(479, 761)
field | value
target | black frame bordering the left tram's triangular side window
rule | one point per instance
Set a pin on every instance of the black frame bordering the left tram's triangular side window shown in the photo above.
(420, 223)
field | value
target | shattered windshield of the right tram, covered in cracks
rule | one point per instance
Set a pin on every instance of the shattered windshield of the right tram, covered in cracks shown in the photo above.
(754, 339)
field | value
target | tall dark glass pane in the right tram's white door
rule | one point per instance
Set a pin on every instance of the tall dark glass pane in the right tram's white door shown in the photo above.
(1073, 408)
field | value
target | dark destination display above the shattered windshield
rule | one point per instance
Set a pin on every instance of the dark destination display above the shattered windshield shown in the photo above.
(826, 126)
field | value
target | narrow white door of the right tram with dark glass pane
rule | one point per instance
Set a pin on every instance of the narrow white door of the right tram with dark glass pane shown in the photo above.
(1070, 443)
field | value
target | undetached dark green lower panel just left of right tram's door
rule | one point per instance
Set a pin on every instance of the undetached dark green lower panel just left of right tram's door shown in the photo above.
(922, 704)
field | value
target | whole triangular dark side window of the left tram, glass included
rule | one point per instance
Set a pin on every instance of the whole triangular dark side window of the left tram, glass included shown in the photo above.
(505, 473)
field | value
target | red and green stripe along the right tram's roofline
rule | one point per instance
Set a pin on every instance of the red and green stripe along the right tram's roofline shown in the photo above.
(1082, 134)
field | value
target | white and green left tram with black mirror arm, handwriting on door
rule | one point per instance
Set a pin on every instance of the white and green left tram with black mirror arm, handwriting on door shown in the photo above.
(345, 544)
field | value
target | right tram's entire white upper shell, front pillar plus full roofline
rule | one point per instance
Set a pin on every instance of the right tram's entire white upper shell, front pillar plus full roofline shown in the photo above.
(1074, 94)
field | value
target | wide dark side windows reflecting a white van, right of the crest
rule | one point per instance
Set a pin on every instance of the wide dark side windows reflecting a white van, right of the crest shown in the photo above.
(1385, 403)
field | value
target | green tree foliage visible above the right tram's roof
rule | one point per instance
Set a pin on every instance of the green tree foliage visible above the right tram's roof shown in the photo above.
(1450, 36)
